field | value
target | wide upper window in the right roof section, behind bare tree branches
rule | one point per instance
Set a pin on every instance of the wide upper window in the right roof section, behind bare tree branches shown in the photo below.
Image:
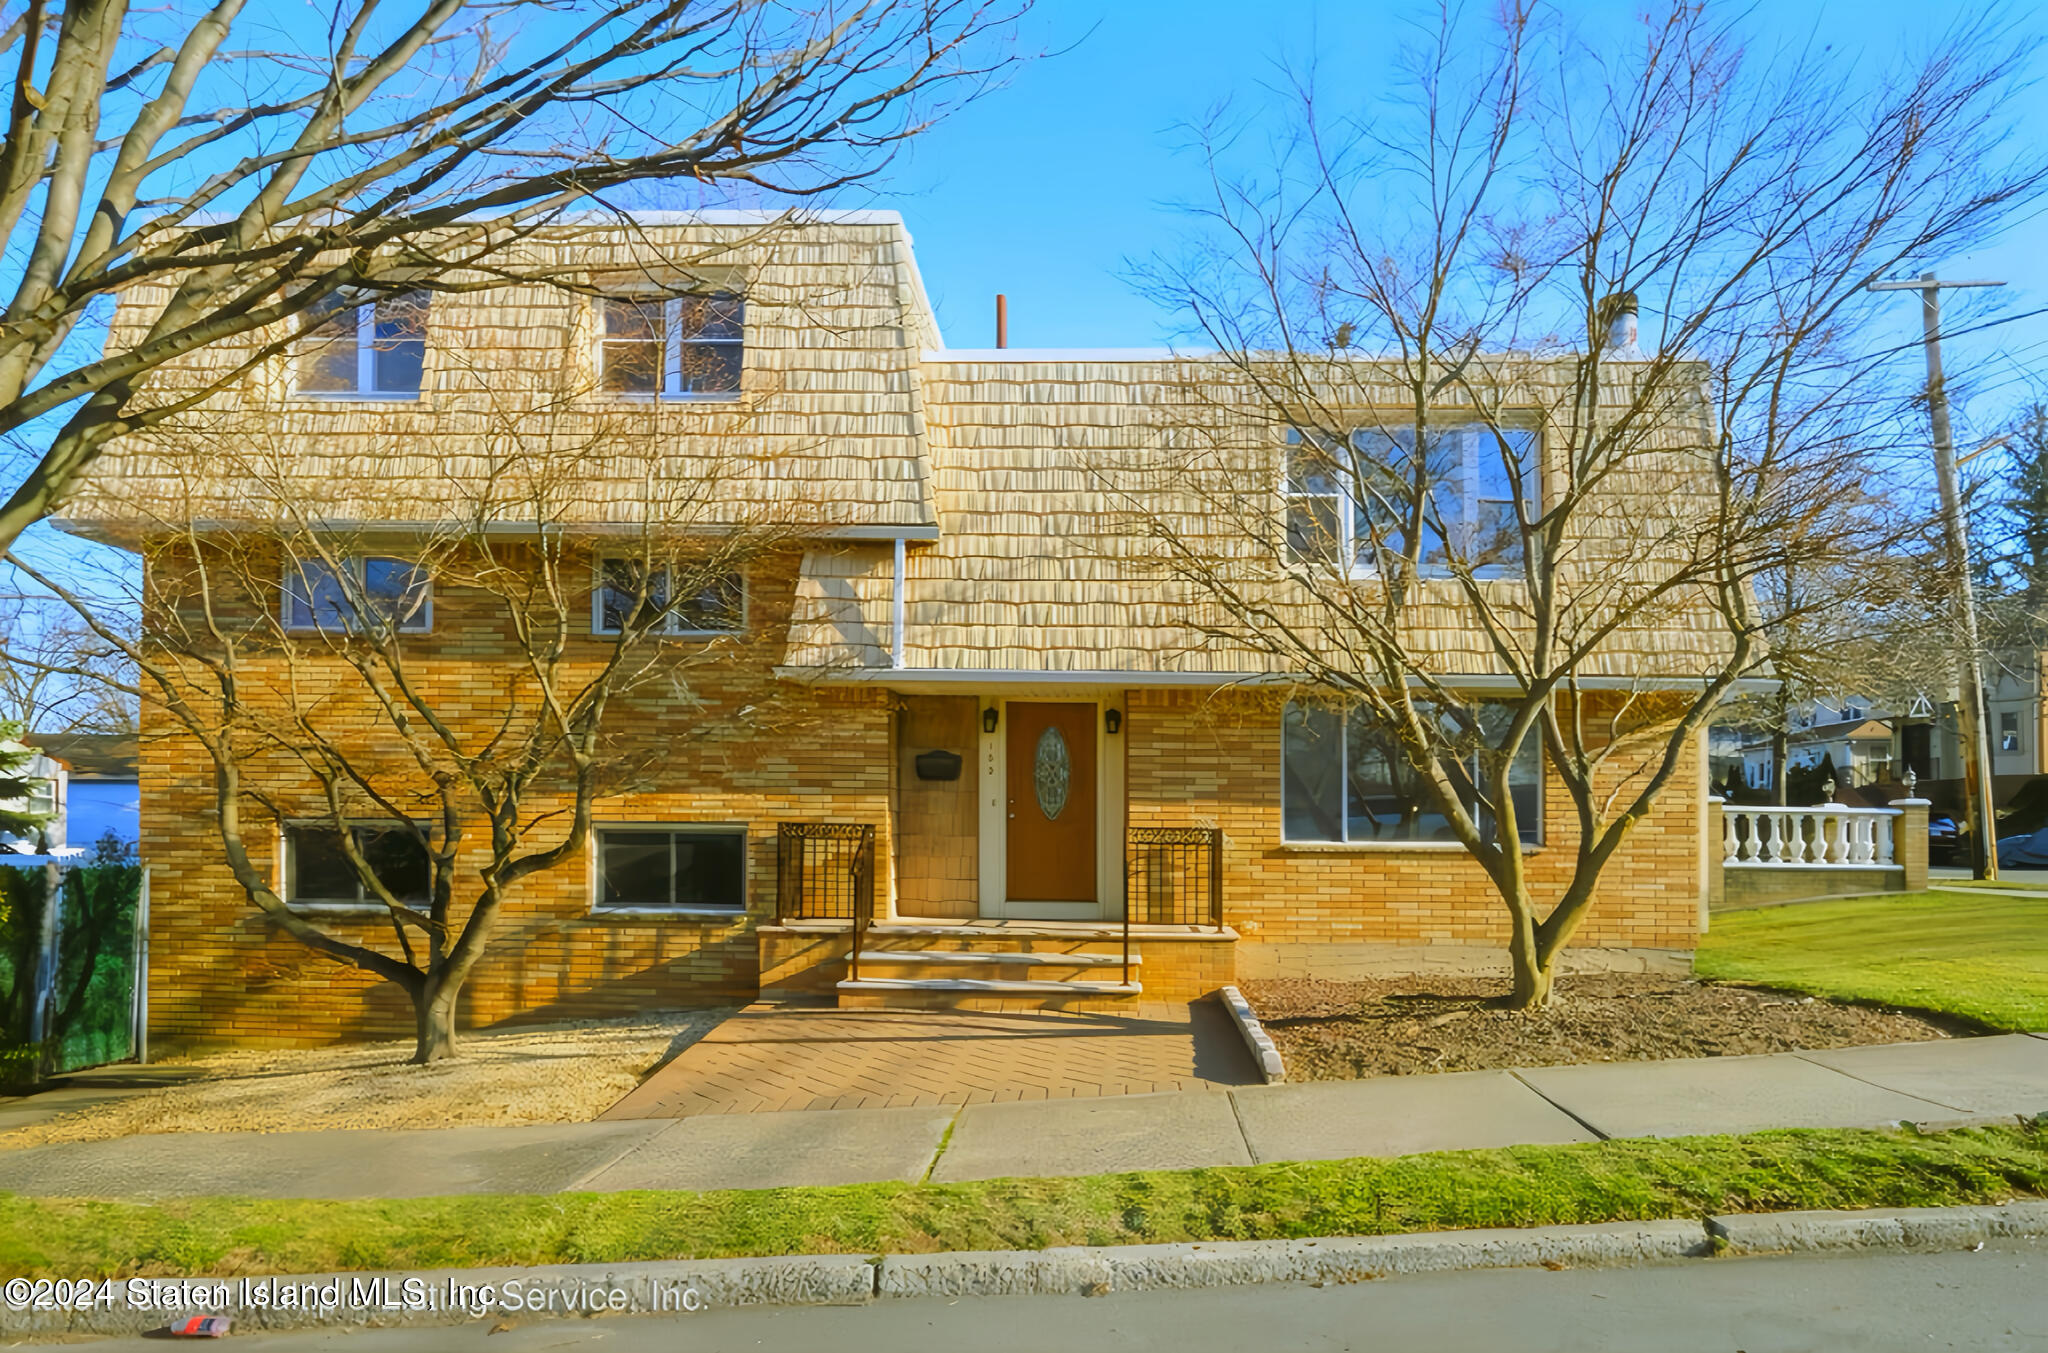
(1351, 500)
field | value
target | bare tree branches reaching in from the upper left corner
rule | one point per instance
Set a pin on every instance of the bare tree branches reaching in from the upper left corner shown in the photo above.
(261, 177)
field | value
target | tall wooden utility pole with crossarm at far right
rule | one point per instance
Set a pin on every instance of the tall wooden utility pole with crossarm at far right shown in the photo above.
(1971, 715)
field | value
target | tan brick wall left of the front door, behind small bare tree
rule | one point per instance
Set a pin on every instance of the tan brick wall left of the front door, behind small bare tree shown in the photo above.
(736, 748)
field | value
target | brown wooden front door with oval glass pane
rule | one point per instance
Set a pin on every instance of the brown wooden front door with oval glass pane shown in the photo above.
(1052, 762)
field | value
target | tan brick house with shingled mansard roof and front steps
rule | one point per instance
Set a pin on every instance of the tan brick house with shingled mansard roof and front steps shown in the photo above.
(994, 726)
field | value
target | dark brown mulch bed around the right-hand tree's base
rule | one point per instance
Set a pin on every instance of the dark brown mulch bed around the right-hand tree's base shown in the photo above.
(1422, 1024)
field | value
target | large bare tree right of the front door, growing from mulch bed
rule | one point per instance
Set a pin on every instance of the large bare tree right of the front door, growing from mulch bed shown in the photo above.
(1551, 365)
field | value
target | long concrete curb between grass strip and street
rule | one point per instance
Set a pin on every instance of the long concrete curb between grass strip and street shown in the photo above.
(458, 1297)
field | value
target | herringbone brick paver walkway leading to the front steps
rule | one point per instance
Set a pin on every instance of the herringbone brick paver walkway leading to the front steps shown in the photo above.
(790, 1057)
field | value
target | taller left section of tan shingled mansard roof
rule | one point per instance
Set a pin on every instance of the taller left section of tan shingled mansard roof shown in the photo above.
(511, 421)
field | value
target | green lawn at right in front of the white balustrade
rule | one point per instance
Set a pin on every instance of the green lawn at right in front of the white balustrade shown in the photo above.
(1983, 959)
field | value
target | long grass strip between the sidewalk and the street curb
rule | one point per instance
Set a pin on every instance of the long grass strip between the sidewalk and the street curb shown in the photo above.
(1523, 1186)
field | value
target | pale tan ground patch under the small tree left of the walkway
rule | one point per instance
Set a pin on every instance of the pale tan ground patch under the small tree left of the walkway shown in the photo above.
(534, 1076)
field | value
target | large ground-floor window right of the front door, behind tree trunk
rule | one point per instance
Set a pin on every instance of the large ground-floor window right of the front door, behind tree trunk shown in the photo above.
(1349, 779)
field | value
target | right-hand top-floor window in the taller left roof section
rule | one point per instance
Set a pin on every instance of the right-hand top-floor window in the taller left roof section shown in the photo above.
(673, 347)
